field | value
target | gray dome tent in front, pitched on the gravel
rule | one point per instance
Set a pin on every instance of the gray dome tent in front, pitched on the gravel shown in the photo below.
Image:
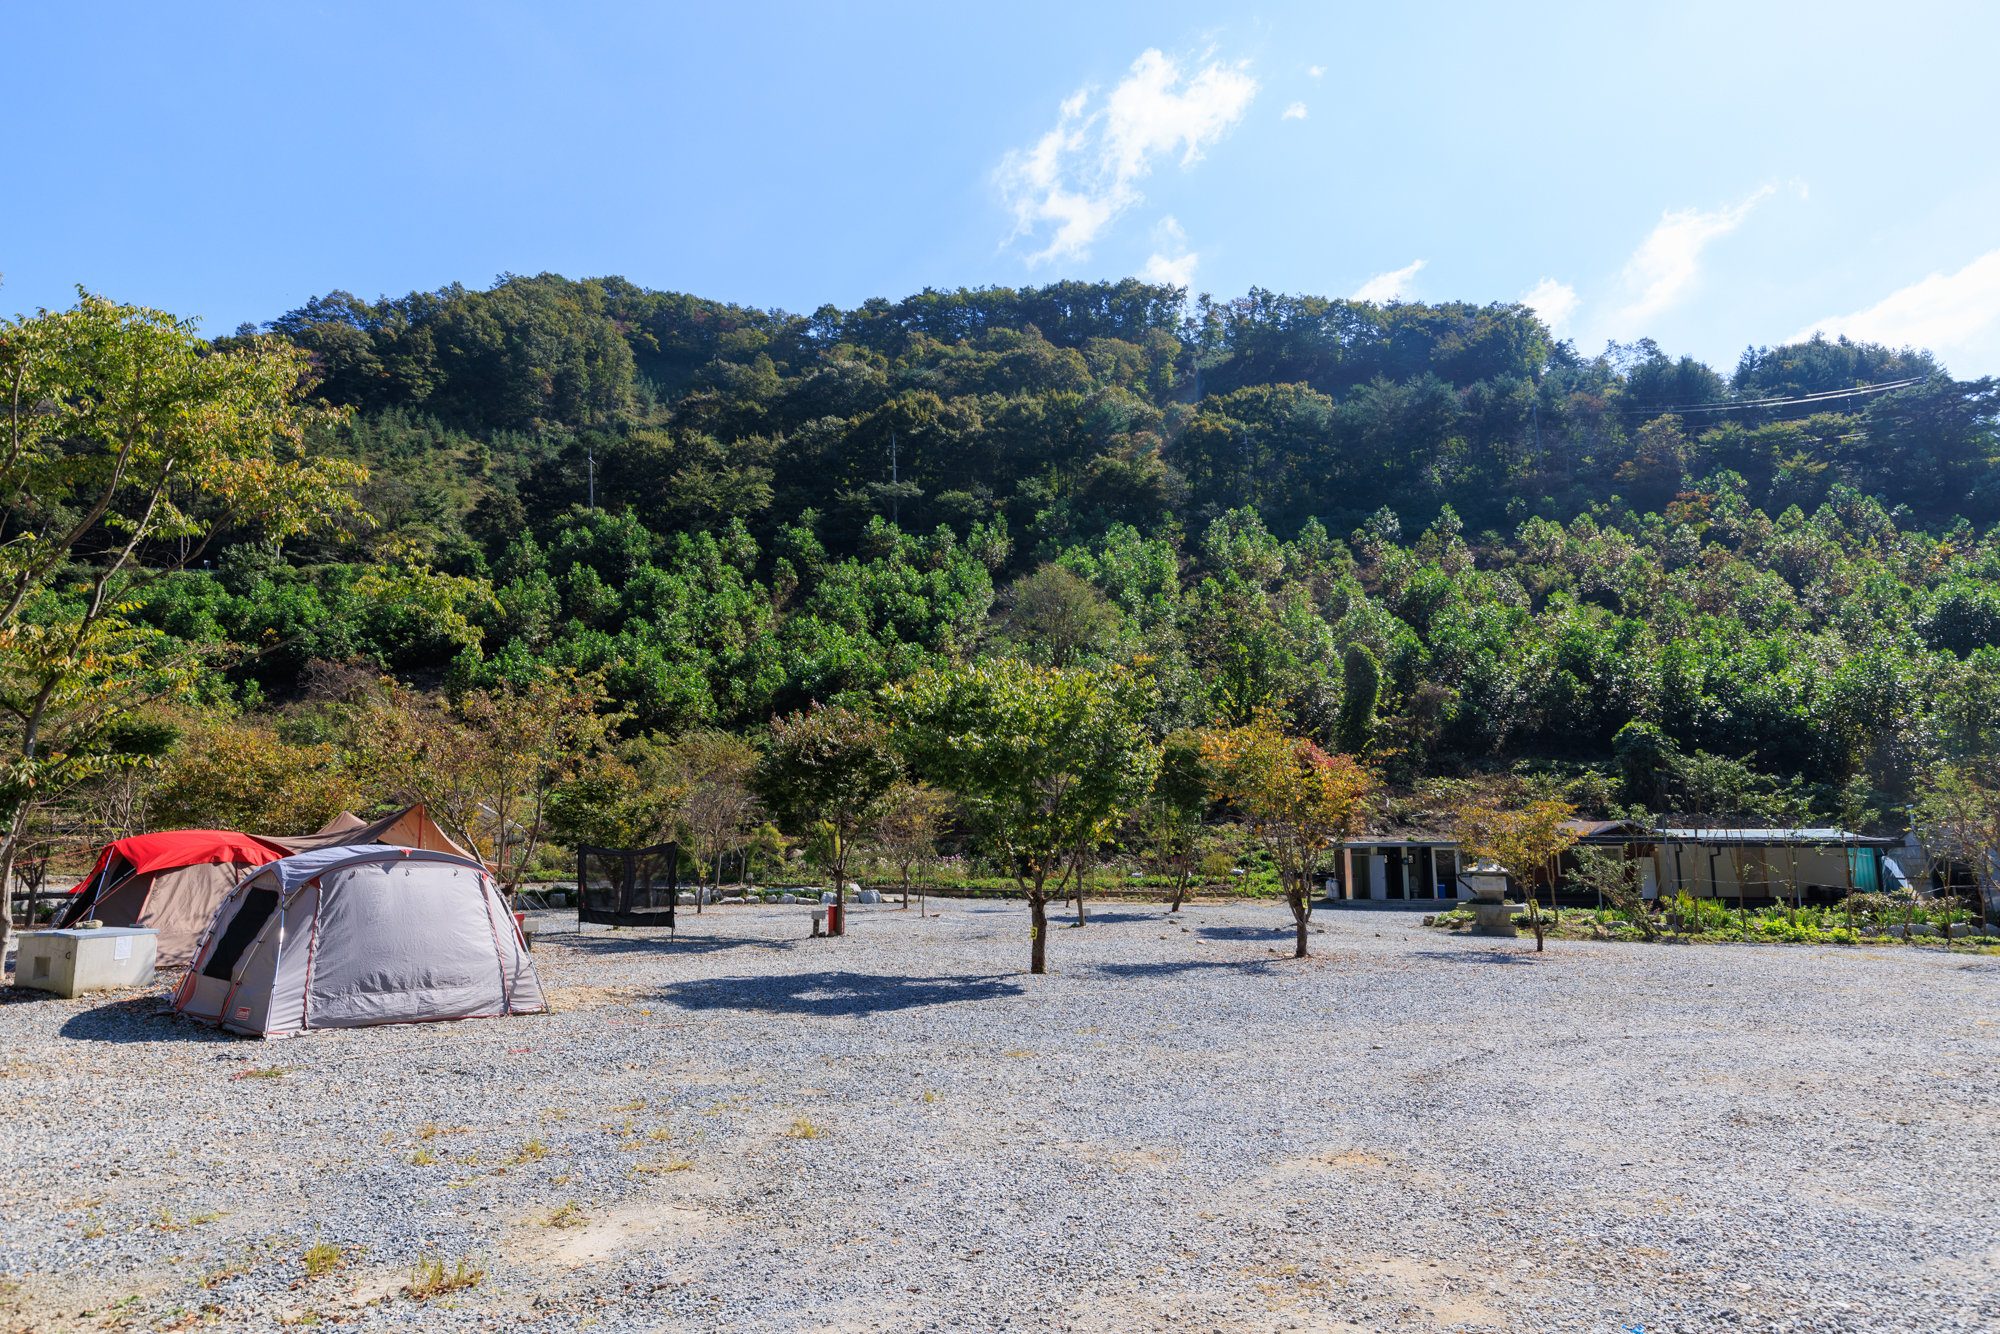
(359, 935)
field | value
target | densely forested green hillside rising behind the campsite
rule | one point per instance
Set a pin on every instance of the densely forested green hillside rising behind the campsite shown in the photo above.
(1535, 547)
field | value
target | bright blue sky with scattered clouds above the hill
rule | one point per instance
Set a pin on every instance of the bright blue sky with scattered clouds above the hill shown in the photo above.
(1707, 175)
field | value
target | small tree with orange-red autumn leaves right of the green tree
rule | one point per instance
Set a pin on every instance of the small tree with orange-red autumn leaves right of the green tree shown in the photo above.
(1297, 799)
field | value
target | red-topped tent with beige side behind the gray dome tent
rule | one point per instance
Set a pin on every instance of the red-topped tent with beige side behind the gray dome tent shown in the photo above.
(171, 883)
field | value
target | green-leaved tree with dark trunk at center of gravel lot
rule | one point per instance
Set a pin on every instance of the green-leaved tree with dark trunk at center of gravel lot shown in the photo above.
(1043, 759)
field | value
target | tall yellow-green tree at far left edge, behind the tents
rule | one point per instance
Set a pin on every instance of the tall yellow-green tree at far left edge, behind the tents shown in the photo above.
(127, 447)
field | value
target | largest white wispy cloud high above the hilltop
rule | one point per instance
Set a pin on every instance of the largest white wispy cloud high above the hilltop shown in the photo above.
(1085, 173)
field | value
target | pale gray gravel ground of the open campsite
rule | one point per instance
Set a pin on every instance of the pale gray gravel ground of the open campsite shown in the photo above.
(1177, 1131)
